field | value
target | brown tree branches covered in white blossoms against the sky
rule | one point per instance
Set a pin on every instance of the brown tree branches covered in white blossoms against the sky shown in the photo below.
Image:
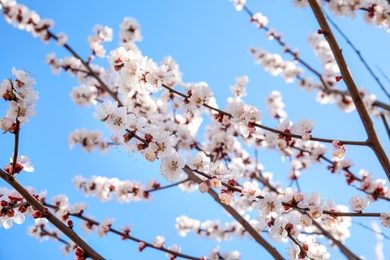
(148, 109)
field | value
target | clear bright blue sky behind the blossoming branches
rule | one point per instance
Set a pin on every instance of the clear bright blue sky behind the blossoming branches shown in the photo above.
(210, 41)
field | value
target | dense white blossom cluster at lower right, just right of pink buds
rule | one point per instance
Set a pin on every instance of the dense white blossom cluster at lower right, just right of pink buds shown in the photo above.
(276, 215)
